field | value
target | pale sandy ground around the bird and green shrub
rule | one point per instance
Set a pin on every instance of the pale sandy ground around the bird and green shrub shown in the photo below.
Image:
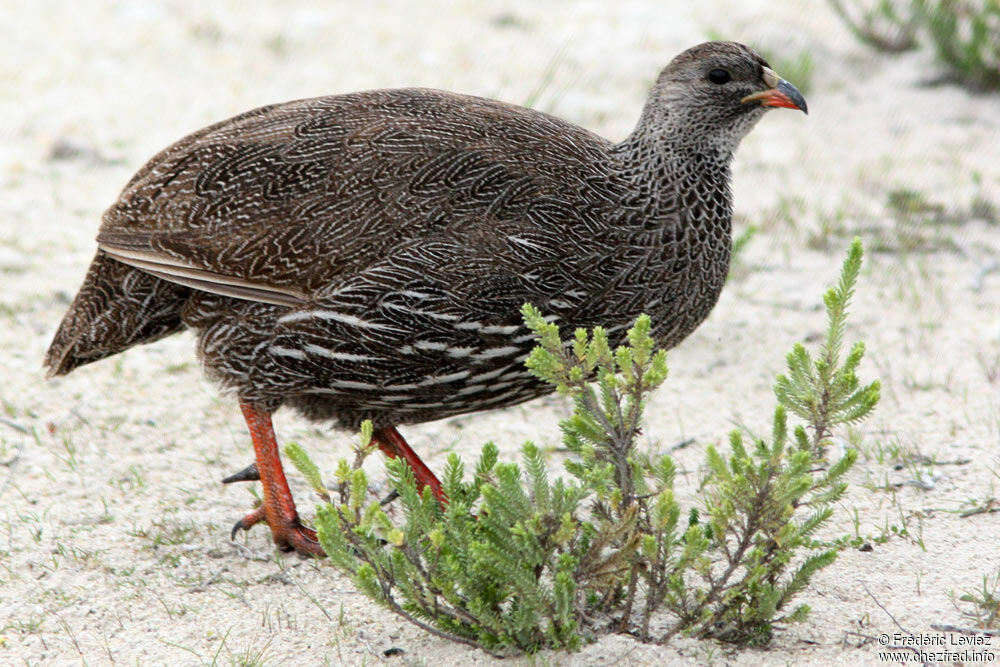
(114, 529)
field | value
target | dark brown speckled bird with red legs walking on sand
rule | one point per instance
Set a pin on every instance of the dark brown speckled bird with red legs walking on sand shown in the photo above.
(365, 256)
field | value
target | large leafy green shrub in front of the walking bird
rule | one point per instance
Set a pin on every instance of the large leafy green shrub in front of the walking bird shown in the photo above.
(517, 561)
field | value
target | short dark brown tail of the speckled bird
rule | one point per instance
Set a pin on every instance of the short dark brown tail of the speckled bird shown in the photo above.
(117, 307)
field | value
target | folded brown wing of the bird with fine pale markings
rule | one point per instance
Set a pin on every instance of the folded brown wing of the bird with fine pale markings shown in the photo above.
(282, 201)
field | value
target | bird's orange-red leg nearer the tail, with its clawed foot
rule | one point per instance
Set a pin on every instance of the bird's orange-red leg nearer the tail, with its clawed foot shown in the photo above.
(278, 509)
